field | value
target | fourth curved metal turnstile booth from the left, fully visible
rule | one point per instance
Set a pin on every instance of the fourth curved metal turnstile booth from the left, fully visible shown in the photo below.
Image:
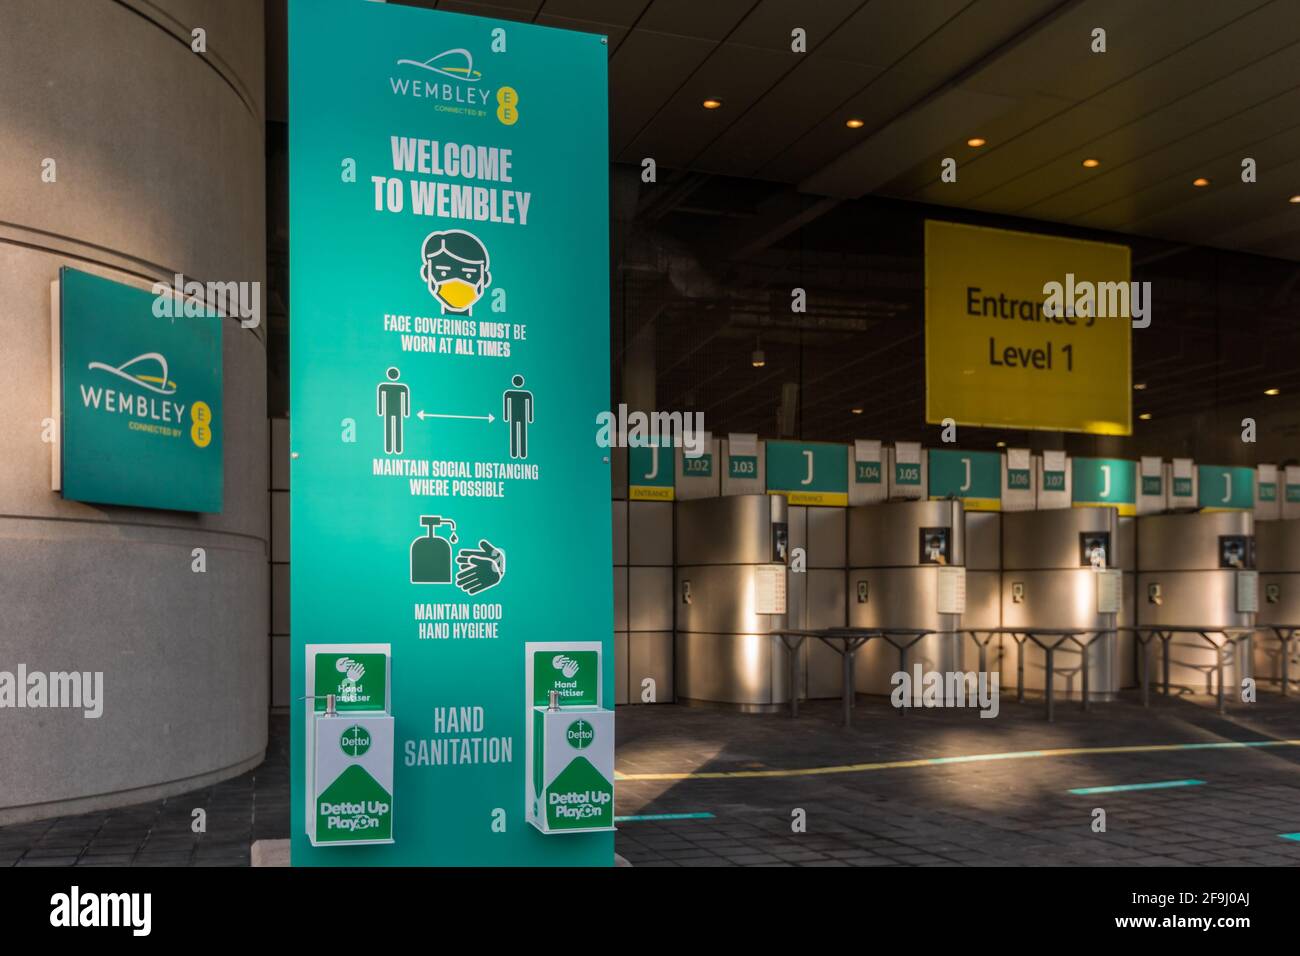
(1195, 577)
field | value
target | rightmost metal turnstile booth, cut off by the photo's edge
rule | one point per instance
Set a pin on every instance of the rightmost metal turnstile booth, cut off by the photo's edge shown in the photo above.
(1279, 559)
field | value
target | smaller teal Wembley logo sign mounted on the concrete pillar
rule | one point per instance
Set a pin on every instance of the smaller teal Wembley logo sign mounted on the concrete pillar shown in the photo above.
(140, 396)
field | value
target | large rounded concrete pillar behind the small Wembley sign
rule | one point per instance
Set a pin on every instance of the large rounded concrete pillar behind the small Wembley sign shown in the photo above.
(161, 162)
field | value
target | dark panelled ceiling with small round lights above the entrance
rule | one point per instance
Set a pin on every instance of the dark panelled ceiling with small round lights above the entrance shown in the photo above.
(1186, 89)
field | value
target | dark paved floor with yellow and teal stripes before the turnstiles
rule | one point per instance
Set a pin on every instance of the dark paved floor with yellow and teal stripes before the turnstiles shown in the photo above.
(981, 812)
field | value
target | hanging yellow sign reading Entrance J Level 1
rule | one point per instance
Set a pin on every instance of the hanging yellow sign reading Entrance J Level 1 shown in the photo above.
(1028, 331)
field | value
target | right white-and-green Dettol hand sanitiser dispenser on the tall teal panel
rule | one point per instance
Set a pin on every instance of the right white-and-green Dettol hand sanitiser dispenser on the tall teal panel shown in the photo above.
(570, 771)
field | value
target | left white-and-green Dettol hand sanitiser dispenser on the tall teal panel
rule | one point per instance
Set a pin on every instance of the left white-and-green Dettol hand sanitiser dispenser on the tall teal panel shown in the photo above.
(349, 745)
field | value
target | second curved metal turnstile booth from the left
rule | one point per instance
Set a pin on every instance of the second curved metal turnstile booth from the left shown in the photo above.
(907, 570)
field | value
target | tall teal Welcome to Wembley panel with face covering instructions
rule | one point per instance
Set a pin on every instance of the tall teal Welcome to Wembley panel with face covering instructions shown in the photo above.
(449, 222)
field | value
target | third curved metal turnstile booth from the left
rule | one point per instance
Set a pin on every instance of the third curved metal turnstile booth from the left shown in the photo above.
(1061, 570)
